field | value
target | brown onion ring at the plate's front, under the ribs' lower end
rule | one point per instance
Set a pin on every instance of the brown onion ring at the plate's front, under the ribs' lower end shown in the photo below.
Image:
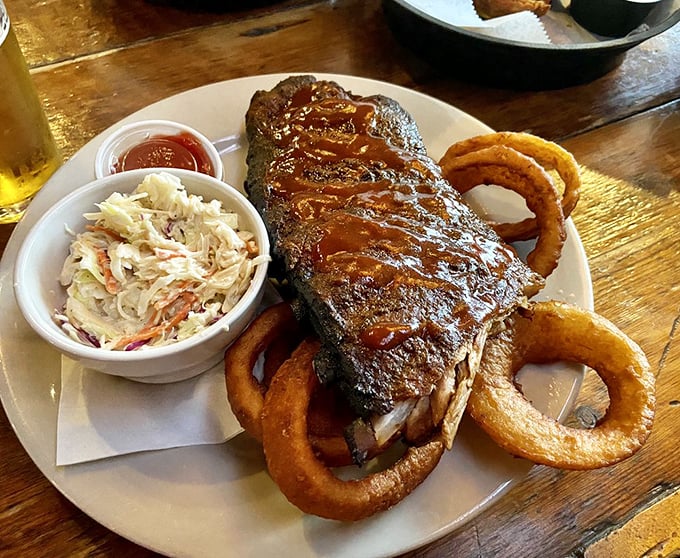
(303, 478)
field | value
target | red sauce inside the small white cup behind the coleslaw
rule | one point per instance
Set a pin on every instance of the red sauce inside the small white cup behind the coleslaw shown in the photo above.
(180, 151)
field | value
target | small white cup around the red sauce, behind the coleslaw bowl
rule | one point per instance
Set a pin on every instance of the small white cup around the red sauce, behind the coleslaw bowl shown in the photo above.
(120, 140)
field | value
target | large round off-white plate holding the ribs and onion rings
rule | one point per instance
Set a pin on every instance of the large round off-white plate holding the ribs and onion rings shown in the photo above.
(218, 500)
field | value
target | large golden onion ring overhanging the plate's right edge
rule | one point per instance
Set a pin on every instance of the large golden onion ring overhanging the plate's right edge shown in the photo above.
(552, 331)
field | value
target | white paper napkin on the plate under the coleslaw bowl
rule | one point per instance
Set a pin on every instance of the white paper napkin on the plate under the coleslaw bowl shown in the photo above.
(103, 416)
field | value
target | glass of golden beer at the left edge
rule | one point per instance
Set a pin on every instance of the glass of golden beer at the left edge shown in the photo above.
(28, 153)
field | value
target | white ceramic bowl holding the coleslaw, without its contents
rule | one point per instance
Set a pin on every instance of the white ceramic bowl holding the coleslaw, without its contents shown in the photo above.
(39, 293)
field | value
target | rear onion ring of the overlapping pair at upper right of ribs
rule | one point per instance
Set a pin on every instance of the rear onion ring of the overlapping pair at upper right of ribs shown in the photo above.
(546, 153)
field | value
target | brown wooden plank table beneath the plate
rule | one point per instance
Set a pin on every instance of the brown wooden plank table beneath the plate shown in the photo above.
(96, 62)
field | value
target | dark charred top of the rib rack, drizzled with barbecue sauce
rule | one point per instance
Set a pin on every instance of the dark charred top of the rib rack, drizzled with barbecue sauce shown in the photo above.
(398, 275)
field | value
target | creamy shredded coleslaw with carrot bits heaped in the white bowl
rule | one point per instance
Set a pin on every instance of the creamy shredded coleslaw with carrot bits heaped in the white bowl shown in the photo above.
(154, 267)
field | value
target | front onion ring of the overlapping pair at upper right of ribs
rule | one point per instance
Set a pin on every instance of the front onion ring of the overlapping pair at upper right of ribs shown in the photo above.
(511, 169)
